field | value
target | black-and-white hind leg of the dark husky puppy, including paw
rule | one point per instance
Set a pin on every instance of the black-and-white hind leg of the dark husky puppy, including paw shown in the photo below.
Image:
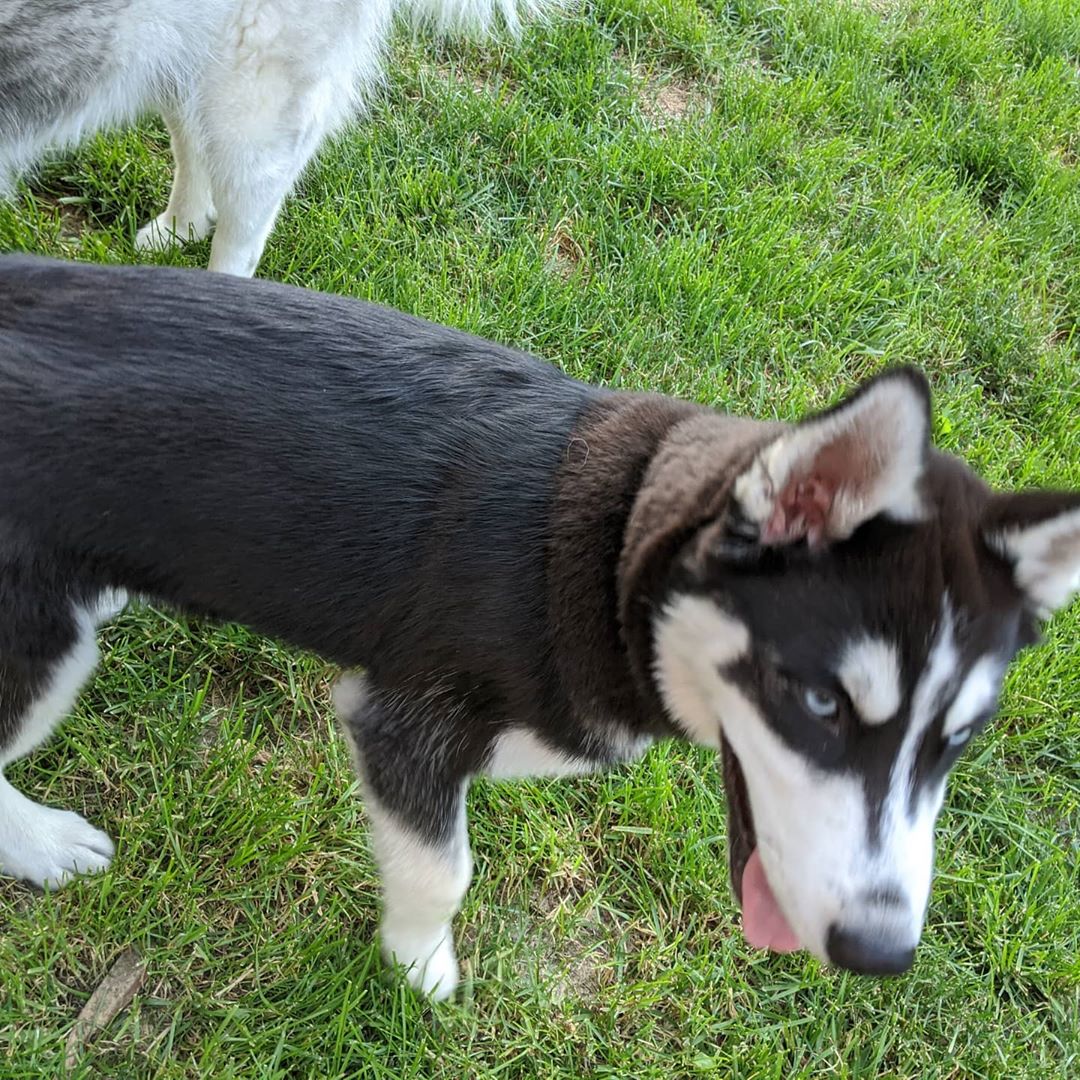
(46, 656)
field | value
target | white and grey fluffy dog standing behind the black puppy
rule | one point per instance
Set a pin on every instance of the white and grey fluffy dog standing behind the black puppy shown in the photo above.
(249, 90)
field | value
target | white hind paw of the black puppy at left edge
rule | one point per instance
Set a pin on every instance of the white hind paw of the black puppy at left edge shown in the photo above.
(50, 847)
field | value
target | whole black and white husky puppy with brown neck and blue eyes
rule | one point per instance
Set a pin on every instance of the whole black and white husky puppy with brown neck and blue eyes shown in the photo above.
(536, 576)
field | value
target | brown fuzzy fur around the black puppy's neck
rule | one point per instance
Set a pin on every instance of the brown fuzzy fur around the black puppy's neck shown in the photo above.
(641, 476)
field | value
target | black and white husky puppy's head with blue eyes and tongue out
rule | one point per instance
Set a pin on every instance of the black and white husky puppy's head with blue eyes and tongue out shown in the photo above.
(842, 632)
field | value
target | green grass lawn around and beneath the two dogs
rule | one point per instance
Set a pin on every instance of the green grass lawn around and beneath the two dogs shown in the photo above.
(750, 204)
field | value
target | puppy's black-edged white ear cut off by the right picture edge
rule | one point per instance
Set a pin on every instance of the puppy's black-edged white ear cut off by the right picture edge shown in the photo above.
(1039, 534)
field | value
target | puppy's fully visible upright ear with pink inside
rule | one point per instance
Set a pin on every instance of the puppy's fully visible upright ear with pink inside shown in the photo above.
(839, 469)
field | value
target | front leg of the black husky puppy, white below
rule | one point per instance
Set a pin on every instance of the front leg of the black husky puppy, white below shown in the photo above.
(416, 809)
